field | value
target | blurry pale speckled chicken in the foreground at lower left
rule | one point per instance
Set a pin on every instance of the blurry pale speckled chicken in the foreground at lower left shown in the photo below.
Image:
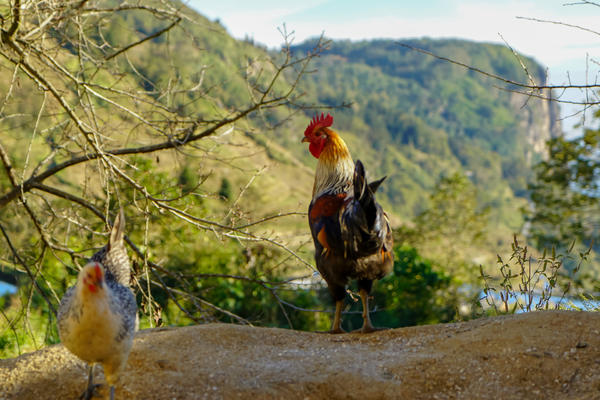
(97, 317)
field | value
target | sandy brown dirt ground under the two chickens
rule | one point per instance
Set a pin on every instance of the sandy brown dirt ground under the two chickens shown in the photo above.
(541, 355)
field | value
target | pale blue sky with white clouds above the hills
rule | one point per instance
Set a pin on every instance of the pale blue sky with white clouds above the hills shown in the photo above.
(568, 52)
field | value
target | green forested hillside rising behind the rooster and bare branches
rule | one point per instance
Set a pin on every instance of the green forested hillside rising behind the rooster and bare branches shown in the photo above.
(196, 135)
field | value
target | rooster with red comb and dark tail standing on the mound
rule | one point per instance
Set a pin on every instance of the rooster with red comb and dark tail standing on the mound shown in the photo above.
(351, 233)
